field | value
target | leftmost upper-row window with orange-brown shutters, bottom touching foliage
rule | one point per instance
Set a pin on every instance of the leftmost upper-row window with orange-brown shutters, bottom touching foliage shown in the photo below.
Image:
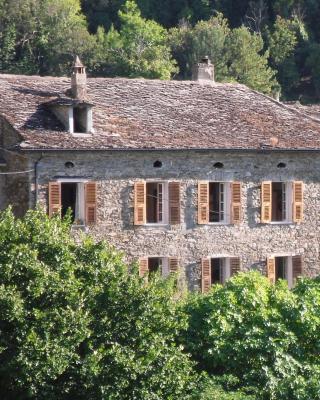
(79, 197)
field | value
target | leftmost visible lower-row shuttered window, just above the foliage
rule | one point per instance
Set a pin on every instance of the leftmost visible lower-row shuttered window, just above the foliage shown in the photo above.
(163, 265)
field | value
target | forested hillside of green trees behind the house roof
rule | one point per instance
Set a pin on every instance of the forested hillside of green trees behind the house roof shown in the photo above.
(270, 45)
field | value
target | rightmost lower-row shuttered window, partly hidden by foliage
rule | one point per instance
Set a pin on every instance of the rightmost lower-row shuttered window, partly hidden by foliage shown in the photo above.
(288, 268)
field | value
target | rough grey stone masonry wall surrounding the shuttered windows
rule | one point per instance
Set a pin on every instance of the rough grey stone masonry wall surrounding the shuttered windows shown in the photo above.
(116, 173)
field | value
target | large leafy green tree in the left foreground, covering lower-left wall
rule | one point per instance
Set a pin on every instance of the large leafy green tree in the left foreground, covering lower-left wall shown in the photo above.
(74, 323)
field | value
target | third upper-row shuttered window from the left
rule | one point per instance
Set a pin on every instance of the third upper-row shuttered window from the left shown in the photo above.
(219, 202)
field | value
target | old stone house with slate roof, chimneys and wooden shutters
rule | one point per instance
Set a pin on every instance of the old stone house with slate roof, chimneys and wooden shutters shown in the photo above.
(201, 177)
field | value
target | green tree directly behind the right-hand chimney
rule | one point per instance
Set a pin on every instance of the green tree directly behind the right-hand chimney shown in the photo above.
(237, 53)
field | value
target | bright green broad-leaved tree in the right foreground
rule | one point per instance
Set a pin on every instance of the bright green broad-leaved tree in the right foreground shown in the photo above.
(261, 335)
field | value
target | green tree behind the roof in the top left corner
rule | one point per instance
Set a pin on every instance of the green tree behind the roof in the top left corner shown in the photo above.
(42, 36)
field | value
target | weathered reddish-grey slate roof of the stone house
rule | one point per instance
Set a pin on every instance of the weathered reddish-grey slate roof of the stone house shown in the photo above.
(153, 114)
